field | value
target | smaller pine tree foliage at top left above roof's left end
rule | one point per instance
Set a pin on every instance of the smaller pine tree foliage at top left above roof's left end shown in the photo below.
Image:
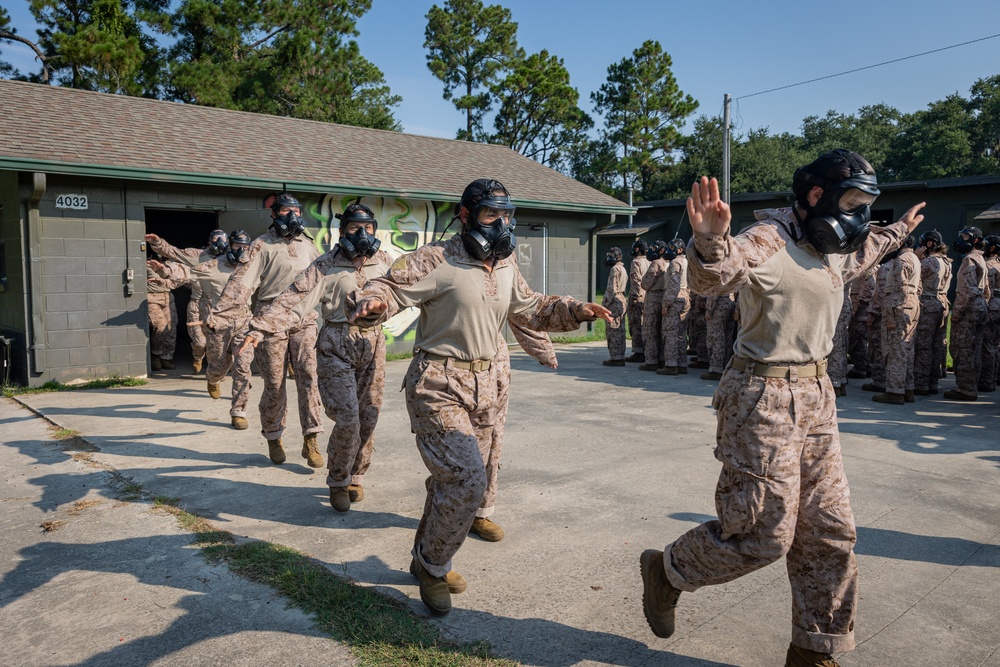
(102, 45)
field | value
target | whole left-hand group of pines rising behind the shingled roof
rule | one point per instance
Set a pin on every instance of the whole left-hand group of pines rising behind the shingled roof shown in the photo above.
(295, 59)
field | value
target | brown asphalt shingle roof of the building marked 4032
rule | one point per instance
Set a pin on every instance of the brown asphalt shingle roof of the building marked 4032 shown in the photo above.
(74, 127)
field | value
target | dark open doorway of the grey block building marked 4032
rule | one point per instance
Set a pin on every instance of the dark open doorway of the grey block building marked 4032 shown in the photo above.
(182, 229)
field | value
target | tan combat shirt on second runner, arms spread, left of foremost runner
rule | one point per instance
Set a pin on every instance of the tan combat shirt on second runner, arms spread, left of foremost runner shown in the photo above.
(463, 305)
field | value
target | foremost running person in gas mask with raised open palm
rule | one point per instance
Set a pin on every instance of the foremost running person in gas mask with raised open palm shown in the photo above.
(777, 415)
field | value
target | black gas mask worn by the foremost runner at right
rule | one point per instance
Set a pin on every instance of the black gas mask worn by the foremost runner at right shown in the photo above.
(839, 222)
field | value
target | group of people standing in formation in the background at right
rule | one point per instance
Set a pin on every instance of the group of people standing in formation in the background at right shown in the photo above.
(892, 329)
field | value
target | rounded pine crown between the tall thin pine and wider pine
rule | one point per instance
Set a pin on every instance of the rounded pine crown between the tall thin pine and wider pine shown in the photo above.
(538, 113)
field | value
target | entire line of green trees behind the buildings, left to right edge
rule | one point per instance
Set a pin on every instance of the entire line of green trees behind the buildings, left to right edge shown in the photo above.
(299, 59)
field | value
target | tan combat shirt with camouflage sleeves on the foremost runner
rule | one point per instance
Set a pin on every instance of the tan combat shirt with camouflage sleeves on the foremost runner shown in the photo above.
(790, 296)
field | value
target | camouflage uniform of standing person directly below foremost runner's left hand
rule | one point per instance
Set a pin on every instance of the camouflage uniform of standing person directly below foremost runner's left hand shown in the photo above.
(900, 312)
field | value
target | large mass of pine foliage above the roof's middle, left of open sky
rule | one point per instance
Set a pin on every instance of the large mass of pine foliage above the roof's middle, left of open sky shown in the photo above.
(282, 58)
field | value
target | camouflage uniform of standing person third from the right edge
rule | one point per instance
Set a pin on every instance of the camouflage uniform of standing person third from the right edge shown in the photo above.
(930, 347)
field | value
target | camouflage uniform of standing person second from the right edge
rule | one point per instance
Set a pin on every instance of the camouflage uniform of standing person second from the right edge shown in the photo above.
(968, 321)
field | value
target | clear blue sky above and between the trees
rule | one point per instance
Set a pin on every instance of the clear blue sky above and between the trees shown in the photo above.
(720, 47)
